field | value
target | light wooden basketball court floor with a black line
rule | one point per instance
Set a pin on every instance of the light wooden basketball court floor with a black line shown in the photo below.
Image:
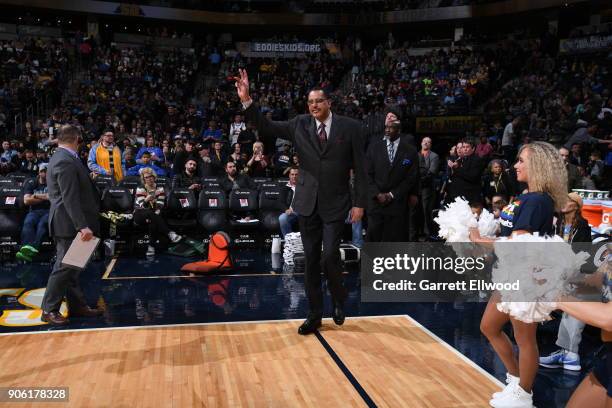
(377, 361)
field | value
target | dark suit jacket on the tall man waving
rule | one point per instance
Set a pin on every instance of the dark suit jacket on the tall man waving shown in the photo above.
(323, 181)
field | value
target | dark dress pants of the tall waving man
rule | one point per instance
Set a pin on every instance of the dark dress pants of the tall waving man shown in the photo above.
(315, 232)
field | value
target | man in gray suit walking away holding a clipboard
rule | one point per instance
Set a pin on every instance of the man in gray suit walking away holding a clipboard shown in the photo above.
(74, 209)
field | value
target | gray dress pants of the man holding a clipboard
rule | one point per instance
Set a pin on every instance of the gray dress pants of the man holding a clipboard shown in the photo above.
(63, 281)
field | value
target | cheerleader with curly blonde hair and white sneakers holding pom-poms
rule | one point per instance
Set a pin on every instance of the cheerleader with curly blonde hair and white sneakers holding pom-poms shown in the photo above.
(542, 169)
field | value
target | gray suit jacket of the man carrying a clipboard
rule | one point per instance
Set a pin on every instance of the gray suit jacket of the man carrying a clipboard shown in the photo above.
(74, 200)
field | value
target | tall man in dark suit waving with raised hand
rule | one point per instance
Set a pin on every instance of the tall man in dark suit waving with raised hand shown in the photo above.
(328, 146)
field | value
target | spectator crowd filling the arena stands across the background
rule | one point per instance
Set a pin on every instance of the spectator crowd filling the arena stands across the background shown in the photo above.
(136, 108)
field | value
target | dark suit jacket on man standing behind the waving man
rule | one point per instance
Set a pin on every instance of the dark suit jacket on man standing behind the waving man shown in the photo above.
(399, 177)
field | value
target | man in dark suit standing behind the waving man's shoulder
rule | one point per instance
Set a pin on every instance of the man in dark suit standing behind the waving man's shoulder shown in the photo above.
(392, 169)
